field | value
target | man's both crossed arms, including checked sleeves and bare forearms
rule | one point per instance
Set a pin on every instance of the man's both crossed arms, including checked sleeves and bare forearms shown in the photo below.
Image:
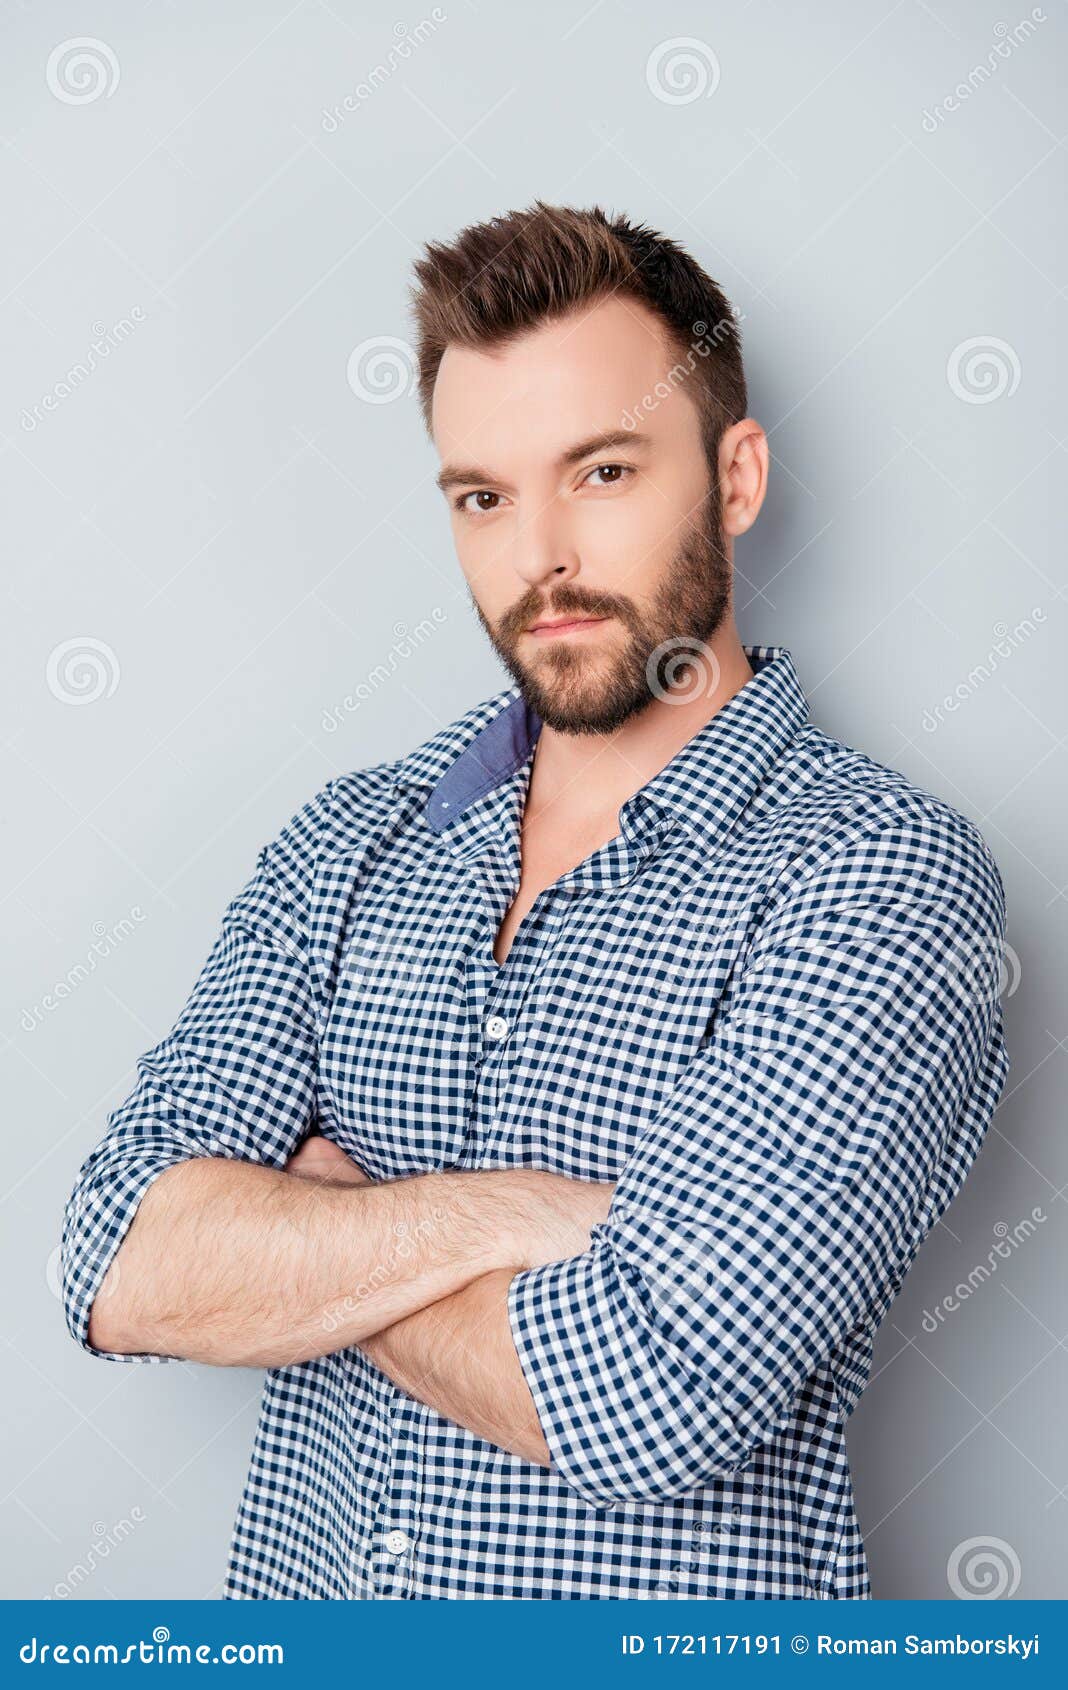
(768, 1211)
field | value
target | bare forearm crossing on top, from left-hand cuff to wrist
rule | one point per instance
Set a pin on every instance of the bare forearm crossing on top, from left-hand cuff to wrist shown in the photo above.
(241, 1265)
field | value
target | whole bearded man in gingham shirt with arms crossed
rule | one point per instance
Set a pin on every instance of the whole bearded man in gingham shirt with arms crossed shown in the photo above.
(564, 1104)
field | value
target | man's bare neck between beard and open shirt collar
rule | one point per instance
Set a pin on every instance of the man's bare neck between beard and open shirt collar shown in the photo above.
(597, 773)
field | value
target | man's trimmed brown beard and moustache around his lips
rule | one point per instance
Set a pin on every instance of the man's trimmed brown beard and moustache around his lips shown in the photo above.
(580, 690)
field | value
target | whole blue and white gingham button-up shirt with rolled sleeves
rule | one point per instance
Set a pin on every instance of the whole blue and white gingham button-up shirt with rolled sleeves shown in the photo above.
(770, 1008)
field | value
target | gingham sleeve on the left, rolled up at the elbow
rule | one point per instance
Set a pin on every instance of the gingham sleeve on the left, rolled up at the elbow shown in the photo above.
(236, 1077)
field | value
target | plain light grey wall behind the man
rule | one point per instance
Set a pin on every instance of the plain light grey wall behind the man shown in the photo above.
(236, 542)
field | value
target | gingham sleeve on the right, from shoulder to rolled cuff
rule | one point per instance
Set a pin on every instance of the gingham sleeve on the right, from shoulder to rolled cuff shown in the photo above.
(780, 1196)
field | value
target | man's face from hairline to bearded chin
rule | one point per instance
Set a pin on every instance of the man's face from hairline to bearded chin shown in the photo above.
(626, 533)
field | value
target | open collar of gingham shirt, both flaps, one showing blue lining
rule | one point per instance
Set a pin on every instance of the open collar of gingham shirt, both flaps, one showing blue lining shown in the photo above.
(706, 787)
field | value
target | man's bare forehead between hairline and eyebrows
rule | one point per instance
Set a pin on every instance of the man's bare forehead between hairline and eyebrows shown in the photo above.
(560, 381)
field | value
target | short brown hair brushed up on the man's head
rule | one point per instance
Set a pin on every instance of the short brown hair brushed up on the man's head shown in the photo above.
(503, 278)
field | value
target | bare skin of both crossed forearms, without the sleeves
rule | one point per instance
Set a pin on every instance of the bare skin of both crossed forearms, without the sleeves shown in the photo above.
(239, 1265)
